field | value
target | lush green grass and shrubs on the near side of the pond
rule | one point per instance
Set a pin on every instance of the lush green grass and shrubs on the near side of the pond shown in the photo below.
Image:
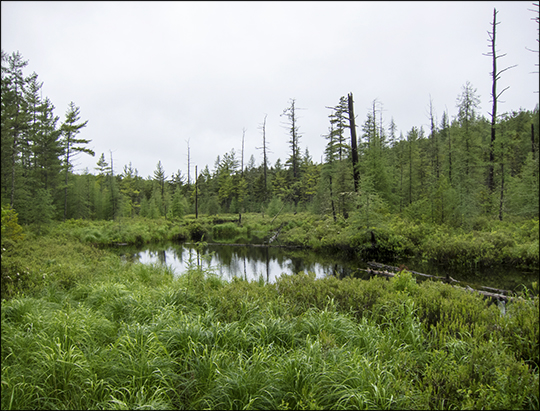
(83, 330)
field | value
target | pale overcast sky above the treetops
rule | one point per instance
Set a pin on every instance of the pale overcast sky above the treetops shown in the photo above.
(149, 76)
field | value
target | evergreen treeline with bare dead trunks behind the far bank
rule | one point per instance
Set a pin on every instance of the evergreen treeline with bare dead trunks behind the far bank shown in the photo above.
(440, 175)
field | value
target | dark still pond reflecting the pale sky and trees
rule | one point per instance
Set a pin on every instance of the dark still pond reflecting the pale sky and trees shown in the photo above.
(251, 262)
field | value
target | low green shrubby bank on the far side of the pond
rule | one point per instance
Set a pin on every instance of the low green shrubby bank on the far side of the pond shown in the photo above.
(487, 243)
